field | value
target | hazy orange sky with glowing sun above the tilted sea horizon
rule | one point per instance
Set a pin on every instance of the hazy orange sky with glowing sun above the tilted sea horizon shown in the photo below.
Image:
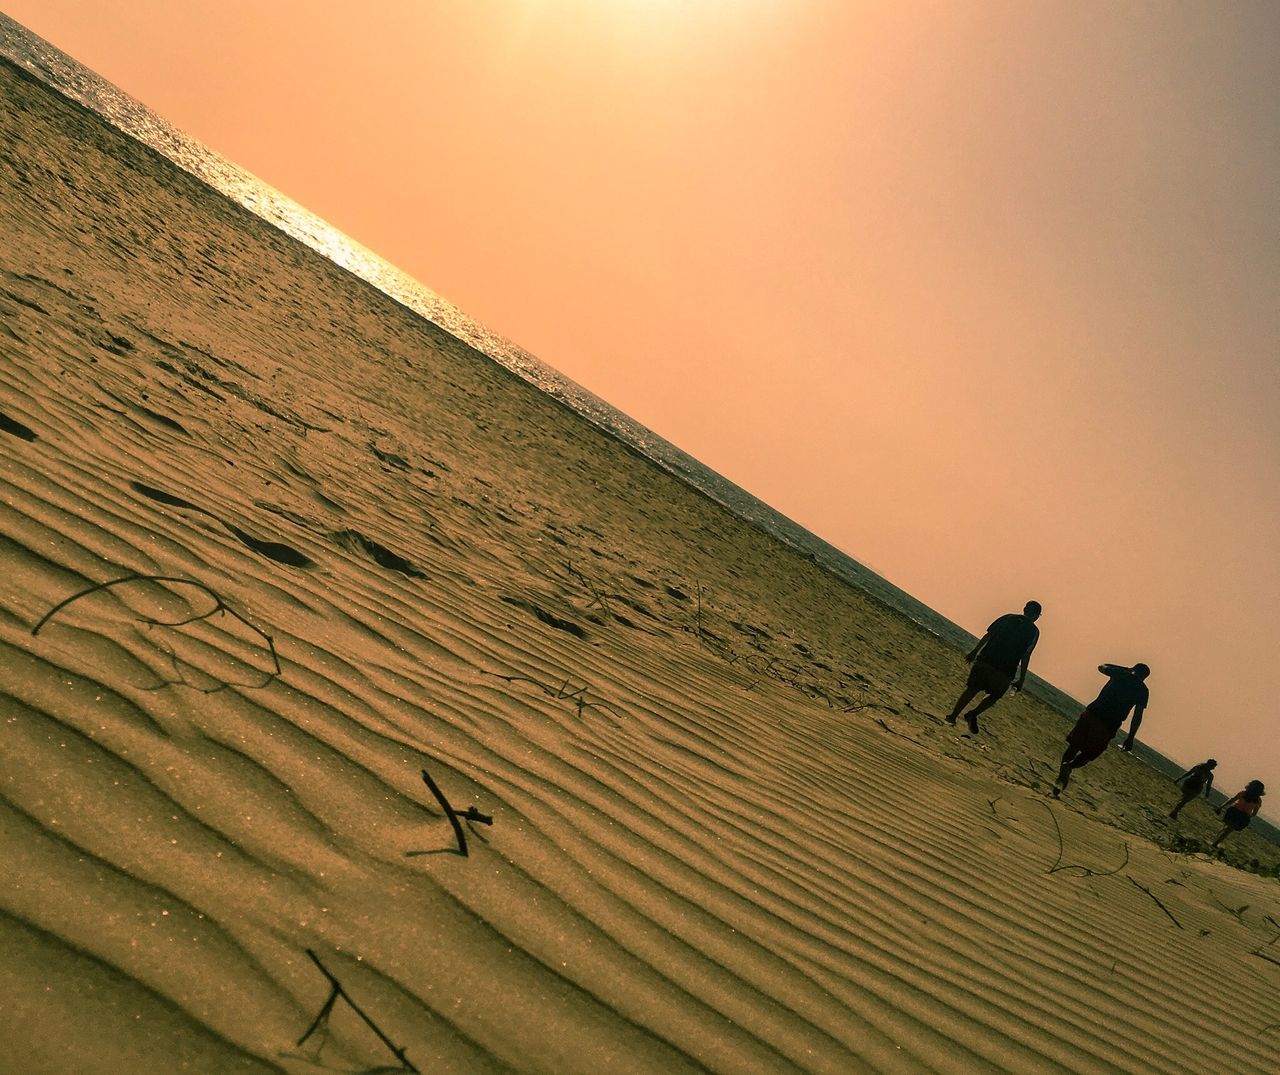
(985, 294)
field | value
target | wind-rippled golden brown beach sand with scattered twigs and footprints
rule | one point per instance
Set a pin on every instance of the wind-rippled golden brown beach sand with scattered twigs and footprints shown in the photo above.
(728, 834)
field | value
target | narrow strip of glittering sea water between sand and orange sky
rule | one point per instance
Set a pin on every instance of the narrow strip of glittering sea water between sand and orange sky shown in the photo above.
(76, 83)
